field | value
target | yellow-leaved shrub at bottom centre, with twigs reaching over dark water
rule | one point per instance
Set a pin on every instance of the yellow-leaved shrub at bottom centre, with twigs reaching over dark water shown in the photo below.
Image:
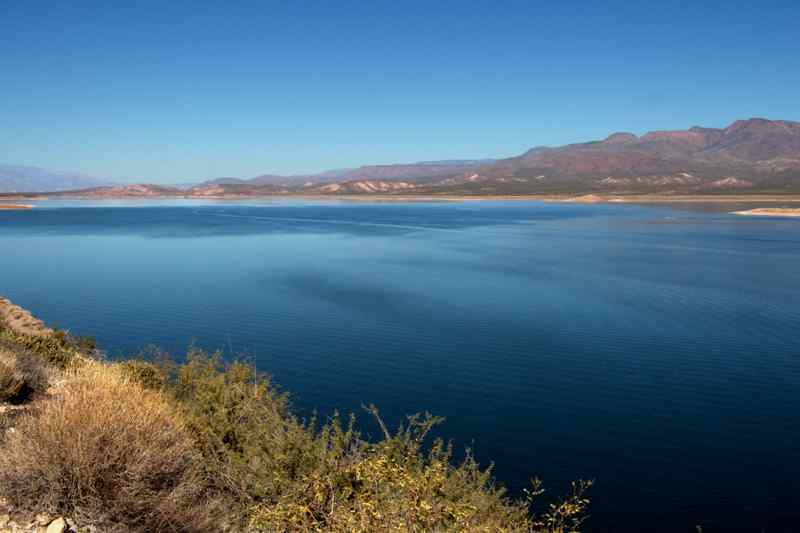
(394, 485)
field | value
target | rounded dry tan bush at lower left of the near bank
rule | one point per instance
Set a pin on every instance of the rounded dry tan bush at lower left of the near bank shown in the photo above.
(107, 452)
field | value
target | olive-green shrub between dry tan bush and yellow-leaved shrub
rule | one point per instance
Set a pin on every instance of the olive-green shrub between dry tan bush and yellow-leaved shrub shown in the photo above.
(250, 441)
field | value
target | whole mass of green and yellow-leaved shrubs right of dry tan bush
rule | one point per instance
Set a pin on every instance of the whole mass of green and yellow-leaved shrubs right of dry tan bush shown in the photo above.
(283, 474)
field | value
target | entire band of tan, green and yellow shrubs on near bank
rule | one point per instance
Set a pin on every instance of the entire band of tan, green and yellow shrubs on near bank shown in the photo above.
(150, 444)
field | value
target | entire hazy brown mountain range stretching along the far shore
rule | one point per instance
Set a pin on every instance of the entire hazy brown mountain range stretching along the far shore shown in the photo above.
(757, 155)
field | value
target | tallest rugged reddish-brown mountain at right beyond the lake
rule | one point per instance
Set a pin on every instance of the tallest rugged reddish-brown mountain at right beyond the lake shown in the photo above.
(756, 153)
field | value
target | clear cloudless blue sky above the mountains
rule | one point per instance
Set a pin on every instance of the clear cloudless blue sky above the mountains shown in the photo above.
(171, 91)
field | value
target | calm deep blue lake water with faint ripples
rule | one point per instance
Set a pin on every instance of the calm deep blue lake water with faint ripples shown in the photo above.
(655, 350)
